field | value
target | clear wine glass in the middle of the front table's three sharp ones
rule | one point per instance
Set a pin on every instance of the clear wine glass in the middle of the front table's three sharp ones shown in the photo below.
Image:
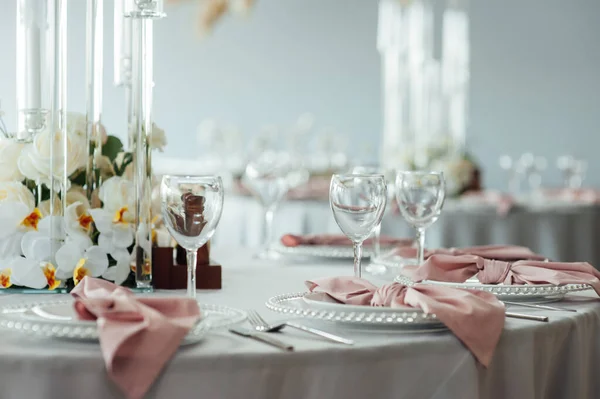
(358, 202)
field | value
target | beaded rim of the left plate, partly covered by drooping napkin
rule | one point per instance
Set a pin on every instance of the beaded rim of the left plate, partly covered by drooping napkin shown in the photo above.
(217, 316)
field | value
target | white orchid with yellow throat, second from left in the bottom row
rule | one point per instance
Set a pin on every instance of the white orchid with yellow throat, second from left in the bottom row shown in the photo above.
(73, 259)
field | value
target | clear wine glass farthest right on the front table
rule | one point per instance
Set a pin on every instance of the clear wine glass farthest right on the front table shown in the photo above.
(420, 197)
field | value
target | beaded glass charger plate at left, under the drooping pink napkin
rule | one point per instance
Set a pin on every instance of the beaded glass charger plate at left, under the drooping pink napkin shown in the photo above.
(57, 319)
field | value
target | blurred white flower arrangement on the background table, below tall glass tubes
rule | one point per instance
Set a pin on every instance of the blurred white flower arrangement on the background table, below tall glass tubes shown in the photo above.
(461, 171)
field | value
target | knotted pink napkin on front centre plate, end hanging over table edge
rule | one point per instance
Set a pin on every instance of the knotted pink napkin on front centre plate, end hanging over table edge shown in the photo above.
(475, 317)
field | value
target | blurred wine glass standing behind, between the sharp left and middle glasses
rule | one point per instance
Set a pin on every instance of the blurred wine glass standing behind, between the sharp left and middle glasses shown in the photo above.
(269, 177)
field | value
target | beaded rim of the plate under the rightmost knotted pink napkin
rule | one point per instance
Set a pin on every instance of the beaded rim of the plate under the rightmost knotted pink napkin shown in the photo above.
(545, 290)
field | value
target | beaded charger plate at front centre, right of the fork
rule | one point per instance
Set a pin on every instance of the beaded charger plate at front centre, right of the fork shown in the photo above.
(321, 307)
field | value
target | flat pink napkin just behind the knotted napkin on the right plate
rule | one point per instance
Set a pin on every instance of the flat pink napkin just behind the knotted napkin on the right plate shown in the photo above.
(497, 252)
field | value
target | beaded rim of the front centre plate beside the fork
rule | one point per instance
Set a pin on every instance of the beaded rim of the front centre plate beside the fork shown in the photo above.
(407, 318)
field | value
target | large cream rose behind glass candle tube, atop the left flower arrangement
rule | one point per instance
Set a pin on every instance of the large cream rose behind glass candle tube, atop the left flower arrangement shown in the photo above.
(34, 160)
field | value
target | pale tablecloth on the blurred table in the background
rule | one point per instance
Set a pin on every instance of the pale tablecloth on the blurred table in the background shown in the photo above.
(565, 232)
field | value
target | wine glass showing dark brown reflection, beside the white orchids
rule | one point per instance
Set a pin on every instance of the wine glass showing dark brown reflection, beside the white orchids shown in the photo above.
(191, 208)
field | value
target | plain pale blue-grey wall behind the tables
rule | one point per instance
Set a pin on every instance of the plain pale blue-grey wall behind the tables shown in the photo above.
(535, 80)
